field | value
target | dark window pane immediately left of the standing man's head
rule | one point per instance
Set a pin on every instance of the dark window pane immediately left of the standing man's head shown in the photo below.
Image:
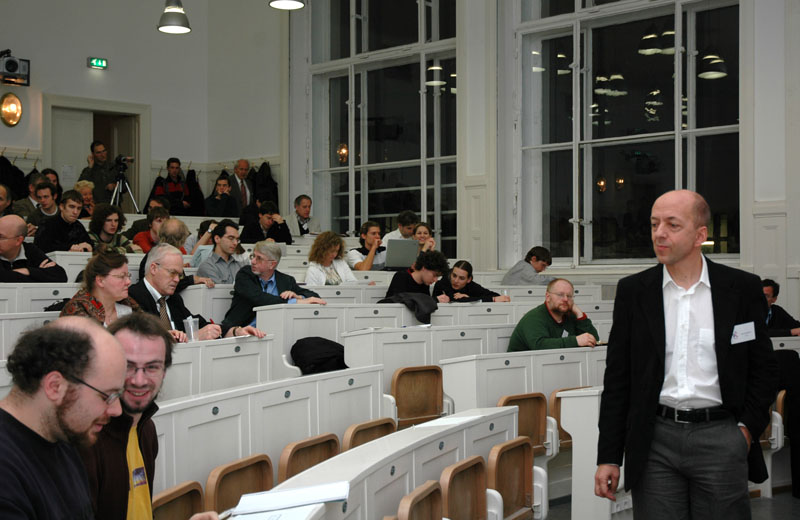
(627, 179)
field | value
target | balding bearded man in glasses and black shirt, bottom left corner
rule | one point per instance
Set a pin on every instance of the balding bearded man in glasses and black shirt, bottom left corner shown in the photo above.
(67, 378)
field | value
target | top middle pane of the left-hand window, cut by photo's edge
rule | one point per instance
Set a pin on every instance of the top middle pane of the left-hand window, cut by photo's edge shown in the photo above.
(392, 23)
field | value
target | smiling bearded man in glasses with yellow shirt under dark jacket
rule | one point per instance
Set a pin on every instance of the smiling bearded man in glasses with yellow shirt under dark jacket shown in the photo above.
(148, 350)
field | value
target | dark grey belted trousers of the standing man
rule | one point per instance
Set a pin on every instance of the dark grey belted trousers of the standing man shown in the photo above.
(694, 471)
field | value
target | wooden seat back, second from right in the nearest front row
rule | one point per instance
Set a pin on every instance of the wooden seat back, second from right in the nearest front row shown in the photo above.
(464, 490)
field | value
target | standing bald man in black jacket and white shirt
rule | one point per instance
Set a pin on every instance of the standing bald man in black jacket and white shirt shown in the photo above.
(690, 375)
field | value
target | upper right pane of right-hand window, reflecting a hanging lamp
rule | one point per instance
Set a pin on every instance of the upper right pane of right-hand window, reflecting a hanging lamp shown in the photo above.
(718, 54)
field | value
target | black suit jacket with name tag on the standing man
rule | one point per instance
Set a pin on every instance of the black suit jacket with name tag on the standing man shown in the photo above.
(635, 365)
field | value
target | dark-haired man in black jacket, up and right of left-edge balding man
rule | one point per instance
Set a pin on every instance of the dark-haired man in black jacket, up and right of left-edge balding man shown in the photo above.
(63, 232)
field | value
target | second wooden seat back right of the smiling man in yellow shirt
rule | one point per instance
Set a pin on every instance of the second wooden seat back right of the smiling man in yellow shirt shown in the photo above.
(228, 482)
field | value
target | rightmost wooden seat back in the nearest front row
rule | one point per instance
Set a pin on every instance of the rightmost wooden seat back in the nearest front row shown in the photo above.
(510, 473)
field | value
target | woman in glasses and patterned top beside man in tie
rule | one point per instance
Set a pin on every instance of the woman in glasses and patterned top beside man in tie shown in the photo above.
(104, 295)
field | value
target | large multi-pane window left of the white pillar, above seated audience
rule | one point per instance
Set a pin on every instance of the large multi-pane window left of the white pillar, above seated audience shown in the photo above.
(384, 113)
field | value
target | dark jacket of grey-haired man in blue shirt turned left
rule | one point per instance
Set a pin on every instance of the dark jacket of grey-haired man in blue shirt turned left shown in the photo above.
(247, 294)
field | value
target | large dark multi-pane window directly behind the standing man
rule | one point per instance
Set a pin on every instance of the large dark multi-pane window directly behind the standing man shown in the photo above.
(619, 104)
